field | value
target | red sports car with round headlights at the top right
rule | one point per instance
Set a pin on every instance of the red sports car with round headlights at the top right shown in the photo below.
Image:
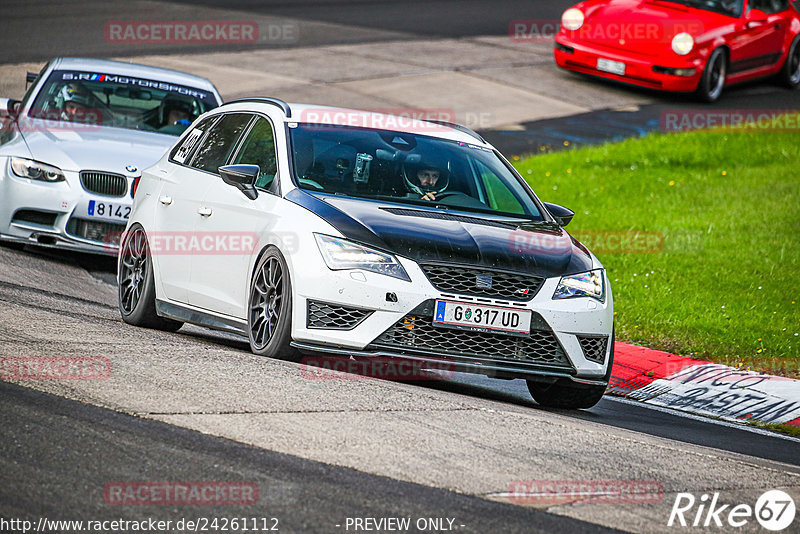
(682, 45)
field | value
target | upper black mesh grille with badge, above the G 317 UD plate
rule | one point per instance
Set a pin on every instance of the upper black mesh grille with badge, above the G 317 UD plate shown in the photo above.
(482, 282)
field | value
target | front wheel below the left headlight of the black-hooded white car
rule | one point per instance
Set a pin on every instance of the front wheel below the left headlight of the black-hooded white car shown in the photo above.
(269, 308)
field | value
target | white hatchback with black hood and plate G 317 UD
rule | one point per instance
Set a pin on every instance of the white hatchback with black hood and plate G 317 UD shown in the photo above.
(316, 230)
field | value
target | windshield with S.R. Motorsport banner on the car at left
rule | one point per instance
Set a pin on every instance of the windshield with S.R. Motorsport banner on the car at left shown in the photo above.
(120, 101)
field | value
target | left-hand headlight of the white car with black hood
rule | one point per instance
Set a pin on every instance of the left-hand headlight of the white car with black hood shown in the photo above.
(341, 254)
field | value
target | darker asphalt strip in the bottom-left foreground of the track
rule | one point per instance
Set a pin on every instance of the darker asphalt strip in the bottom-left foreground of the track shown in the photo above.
(67, 451)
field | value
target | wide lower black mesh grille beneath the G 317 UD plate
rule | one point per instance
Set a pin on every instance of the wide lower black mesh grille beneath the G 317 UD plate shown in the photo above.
(417, 333)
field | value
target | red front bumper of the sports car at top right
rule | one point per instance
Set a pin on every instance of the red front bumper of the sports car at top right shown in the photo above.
(644, 71)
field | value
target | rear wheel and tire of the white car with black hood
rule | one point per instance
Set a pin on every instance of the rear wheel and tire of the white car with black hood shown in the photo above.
(136, 286)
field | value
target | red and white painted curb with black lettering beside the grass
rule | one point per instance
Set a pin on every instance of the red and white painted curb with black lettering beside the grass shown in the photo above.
(701, 387)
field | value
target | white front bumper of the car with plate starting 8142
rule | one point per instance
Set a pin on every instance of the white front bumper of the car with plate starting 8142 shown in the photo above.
(57, 214)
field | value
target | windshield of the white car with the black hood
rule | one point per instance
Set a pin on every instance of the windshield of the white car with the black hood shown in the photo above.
(407, 168)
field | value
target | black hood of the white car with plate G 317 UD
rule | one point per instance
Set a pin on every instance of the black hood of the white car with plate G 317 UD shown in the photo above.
(431, 235)
